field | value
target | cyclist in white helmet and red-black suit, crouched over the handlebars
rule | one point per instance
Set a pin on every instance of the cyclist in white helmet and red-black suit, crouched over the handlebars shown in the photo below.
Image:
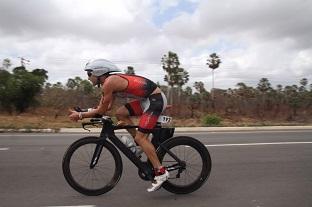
(149, 106)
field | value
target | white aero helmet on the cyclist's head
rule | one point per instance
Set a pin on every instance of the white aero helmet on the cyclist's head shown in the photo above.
(100, 67)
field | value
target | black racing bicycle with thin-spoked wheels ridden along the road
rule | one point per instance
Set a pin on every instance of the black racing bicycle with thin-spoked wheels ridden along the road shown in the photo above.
(93, 166)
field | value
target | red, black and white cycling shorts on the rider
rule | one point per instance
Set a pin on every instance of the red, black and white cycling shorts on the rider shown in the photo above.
(149, 109)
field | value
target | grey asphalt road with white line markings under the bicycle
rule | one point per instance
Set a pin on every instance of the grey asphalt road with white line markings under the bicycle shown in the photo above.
(254, 169)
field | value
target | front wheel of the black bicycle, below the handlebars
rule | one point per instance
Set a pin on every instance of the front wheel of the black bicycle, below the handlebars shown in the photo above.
(95, 180)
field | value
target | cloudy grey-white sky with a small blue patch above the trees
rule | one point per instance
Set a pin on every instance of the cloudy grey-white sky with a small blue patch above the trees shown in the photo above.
(254, 38)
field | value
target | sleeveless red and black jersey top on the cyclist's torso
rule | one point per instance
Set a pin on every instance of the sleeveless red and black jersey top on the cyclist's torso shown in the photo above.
(138, 86)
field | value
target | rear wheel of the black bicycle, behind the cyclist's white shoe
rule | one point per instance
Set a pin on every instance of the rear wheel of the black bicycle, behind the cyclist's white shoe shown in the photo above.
(195, 170)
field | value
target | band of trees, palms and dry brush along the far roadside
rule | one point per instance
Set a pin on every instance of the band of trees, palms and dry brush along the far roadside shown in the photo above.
(24, 91)
